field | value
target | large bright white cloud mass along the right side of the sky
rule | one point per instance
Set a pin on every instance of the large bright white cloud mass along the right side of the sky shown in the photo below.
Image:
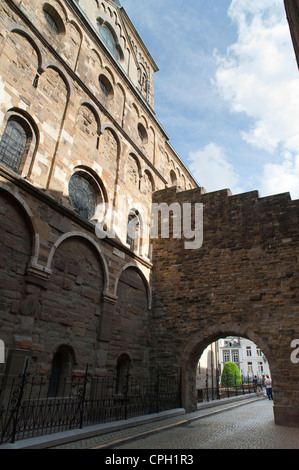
(258, 76)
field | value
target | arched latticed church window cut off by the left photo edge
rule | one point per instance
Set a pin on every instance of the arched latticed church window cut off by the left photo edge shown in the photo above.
(15, 143)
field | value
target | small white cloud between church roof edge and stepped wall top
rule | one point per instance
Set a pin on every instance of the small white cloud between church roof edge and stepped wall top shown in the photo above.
(212, 169)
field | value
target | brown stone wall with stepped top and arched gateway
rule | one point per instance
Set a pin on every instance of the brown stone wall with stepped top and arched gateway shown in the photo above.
(243, 280)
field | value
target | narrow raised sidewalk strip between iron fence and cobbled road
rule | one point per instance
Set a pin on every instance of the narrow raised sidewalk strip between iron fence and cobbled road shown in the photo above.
(74, 435)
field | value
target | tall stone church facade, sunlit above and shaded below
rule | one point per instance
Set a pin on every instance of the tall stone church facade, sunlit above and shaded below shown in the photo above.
(81, 153)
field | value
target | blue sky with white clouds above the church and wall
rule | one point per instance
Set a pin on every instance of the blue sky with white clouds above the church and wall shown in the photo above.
(227, 89)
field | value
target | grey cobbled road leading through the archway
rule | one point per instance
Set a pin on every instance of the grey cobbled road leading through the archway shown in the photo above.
(249, 426)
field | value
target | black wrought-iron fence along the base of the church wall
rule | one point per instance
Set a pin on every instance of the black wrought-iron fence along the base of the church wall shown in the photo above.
(26, 410)
